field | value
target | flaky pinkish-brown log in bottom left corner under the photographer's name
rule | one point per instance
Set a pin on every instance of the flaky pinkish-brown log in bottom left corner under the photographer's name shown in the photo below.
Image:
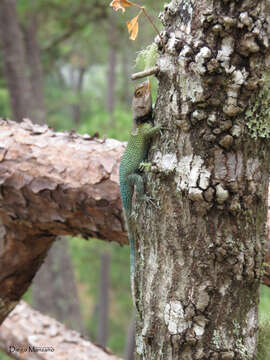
(62, 343)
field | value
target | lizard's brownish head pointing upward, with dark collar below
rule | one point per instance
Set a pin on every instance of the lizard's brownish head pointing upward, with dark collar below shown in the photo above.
(142, 102)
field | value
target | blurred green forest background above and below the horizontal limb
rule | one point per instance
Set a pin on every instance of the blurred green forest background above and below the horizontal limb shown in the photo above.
(85, 61)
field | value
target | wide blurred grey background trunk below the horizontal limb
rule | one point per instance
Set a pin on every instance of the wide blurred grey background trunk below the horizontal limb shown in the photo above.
(54, 290)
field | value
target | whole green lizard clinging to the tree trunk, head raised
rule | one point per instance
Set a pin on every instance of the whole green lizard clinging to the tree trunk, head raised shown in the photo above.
(135, 153)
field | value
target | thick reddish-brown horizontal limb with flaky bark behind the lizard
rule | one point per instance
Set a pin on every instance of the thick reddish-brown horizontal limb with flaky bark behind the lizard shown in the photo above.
(52, 184)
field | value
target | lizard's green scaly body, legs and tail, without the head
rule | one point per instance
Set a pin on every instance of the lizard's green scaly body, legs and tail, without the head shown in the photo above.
(136, 151)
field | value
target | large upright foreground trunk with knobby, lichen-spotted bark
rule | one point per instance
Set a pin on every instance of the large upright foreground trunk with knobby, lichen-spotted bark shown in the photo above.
(199, 262)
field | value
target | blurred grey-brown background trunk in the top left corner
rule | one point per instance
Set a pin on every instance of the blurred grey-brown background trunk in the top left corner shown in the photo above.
(14, 60)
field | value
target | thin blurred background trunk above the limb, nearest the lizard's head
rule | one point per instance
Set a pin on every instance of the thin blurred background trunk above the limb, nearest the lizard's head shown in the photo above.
(110, 103)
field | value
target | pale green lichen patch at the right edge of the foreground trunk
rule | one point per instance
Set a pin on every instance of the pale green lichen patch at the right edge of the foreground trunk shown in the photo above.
(258, 116)
